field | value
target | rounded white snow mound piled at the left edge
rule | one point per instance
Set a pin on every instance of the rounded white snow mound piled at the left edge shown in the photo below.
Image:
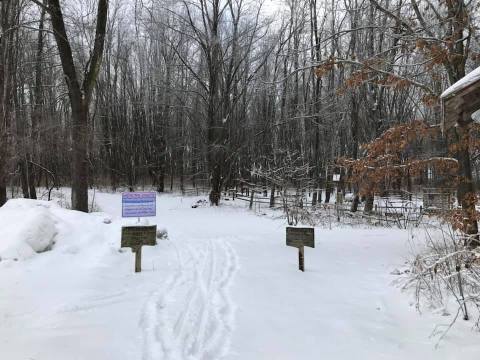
(26, 228)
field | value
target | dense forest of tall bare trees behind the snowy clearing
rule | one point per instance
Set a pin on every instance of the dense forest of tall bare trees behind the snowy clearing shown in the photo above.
(216, 92)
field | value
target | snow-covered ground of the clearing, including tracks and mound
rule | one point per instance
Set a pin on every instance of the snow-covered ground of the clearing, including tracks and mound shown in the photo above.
(223, 286)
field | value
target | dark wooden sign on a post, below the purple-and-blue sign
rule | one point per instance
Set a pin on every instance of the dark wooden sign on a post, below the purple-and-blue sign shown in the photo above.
(137, 236)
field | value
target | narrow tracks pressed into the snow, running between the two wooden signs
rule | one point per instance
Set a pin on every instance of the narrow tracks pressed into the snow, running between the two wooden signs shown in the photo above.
(192, 316)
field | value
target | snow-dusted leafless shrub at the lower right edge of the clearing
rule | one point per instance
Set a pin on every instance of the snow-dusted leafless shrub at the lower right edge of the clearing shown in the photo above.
(447, 272)
